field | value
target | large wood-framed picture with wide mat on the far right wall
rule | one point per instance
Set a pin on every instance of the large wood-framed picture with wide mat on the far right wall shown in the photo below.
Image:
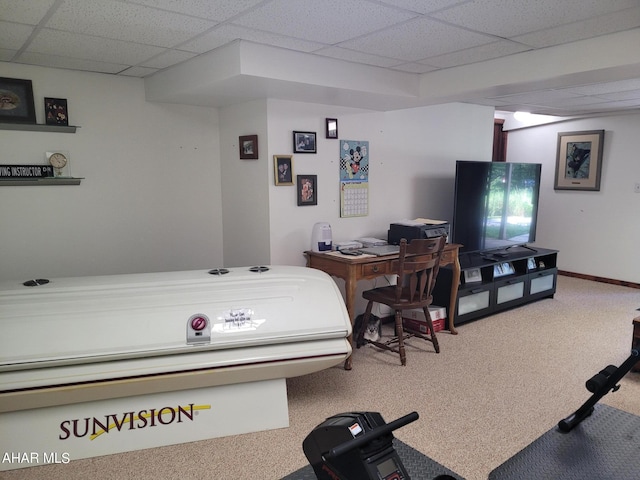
(579, 160)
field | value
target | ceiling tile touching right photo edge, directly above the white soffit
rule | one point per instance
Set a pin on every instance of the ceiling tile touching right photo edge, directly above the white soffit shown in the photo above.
(572, 32)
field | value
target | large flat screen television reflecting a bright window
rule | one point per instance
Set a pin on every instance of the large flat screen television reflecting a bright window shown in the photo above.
(495, 204)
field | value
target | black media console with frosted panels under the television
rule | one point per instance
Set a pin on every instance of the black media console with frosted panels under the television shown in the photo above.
(493, 281)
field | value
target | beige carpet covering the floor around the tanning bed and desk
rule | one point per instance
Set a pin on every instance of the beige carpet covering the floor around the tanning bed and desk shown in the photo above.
(493, 389)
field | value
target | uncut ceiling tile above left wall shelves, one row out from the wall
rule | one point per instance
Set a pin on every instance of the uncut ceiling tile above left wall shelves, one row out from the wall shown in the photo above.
(91, 48)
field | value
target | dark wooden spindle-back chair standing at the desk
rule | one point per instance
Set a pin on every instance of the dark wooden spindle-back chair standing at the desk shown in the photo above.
(418, 266)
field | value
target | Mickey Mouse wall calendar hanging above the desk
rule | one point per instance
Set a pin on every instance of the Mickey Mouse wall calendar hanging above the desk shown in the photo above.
(354, 178)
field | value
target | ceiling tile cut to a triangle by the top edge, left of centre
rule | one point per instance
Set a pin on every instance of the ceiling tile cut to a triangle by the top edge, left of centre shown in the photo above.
(218, 10)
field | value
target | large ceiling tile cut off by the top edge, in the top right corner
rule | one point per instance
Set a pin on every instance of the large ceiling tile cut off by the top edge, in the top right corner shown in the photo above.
(523, 16)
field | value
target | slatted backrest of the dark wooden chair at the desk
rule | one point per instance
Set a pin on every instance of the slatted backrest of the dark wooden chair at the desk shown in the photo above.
(418, 266)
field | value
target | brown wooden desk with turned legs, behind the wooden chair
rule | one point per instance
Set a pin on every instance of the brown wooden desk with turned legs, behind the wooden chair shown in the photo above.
(366, 267)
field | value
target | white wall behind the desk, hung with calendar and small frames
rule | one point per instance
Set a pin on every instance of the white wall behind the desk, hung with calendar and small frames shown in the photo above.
(412, 157)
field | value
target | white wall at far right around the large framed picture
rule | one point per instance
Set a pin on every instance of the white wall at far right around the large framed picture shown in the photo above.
(596, 232)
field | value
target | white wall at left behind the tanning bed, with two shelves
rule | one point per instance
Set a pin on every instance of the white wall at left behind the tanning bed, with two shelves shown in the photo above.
(150, 200)
